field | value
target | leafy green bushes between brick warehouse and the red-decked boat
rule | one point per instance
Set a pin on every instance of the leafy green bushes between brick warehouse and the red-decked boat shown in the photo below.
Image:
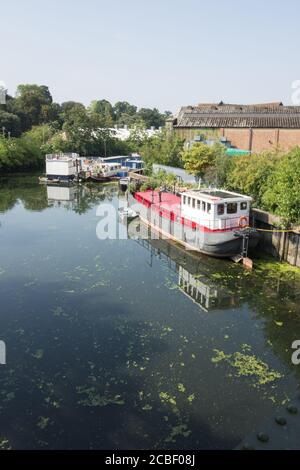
(272, 178)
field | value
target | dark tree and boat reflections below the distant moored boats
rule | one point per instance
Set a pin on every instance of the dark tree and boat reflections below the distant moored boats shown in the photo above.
(34, 196)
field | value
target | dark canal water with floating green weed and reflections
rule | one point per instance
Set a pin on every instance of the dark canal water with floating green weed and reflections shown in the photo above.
(132, 343)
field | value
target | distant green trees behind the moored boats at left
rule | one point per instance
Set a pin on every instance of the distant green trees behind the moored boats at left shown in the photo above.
(32, 124)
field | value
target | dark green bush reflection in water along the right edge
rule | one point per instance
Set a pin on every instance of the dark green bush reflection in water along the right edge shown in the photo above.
(275, 298)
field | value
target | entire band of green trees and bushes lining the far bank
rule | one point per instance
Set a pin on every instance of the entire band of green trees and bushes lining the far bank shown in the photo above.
(33, 125)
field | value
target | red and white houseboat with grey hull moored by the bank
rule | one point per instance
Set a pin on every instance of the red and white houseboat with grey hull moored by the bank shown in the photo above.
(210, 221)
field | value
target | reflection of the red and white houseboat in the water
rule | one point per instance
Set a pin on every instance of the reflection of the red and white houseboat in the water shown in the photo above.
(193, 270)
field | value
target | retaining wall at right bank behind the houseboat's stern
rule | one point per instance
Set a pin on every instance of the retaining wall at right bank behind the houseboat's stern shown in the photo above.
(285, 246)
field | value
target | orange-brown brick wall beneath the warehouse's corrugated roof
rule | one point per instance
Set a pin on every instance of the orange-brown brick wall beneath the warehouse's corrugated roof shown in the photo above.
(256, 140)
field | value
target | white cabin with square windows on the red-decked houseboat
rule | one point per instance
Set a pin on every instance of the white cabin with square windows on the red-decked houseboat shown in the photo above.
(216, 209)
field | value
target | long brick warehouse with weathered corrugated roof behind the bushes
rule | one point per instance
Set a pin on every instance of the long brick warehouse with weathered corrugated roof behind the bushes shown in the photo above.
(249, 127)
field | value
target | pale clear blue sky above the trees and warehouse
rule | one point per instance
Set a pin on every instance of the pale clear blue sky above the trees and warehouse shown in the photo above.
(163, 53)
